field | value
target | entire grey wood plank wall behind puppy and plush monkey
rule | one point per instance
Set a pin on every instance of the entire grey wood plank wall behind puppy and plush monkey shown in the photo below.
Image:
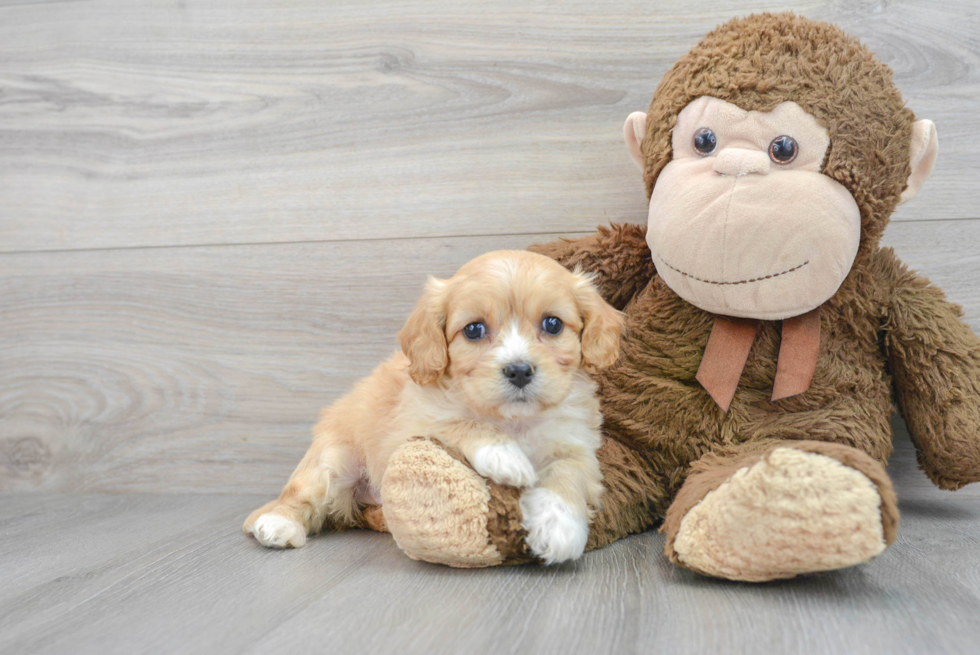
(214, 216)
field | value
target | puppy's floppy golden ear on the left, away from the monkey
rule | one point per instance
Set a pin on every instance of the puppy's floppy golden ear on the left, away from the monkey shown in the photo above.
(423, 339)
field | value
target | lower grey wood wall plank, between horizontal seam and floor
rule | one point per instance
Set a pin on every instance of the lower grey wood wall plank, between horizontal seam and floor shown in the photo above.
(202, 369)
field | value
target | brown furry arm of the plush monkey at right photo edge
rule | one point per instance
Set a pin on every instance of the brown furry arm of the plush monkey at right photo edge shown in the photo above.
(935, 360)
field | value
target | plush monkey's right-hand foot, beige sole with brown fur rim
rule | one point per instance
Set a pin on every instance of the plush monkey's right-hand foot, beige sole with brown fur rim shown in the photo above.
(778, 509)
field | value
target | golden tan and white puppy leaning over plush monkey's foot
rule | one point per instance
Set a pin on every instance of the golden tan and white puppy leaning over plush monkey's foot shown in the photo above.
(493, 363)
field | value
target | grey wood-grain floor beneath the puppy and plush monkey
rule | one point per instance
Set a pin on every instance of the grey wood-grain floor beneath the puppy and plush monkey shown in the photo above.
(127, 574)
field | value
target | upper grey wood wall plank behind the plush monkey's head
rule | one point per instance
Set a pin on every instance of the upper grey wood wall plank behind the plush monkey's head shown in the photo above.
(242, 121)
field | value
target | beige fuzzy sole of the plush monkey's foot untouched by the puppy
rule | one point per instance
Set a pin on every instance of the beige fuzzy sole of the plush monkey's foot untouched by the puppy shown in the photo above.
(792, 512)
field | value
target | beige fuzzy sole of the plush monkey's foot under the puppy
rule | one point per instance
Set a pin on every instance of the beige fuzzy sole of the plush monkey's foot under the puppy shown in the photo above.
(437, 508)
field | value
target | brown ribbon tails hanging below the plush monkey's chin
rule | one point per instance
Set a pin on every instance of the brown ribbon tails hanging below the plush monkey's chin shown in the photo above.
(728, 350)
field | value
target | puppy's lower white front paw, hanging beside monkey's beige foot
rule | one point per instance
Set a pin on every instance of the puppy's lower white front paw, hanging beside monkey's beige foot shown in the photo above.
(555, 532)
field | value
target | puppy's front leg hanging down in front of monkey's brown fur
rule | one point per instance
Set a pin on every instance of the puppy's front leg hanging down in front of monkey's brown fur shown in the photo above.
(557, 511)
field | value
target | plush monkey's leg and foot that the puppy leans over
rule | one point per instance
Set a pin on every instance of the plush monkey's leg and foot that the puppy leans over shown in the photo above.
(440, 510)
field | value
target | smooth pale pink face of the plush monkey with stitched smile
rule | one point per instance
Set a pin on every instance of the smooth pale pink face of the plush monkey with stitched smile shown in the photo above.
(742, 222)
